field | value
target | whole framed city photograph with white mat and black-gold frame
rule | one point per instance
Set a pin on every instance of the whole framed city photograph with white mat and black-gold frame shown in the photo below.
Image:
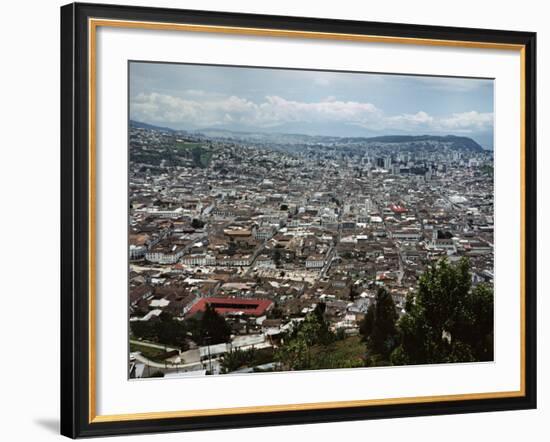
(274, 220)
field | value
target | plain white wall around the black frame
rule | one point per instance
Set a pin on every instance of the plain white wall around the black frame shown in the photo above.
(29, 171)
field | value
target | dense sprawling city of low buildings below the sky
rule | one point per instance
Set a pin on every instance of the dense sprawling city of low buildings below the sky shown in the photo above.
(253, 252)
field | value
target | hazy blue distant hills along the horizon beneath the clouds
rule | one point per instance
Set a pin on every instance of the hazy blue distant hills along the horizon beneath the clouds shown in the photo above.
(452, 141)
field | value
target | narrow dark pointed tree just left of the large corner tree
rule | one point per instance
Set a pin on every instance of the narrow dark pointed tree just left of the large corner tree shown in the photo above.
(379, 328)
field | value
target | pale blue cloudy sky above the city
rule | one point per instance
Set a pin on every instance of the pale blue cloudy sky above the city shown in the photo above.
(190, 97)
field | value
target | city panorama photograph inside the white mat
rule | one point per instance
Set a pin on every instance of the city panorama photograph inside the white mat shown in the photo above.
(292, 219)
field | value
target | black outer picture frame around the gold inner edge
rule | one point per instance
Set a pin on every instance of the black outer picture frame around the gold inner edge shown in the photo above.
(75, 220)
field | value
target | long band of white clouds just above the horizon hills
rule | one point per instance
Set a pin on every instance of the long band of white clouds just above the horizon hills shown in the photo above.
(196, 109)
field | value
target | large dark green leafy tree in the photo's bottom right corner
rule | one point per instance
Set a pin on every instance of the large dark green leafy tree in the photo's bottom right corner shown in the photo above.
(446, 320)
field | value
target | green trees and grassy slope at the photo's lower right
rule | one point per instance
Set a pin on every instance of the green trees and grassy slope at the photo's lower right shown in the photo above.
(446, 320)
